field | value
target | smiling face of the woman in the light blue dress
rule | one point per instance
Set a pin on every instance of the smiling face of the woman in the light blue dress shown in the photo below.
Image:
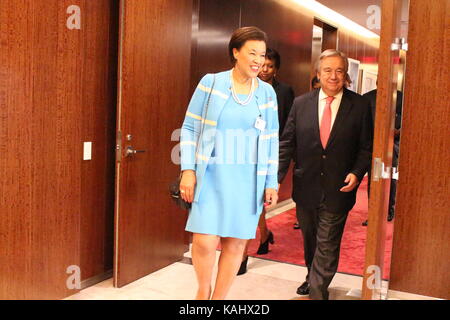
(250, 58)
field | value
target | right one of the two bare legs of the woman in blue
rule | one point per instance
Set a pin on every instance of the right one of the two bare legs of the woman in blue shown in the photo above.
(229, 262)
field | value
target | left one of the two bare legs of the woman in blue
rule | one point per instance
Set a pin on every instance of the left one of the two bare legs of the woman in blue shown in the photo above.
(203, 258)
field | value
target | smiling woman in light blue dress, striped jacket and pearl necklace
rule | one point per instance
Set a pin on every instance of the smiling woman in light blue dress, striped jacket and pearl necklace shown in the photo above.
(229, 161)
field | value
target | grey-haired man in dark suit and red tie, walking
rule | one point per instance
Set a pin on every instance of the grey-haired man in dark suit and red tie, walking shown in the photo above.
(329, 134)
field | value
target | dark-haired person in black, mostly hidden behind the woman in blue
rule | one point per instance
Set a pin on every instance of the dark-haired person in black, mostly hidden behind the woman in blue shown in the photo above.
(285, 97)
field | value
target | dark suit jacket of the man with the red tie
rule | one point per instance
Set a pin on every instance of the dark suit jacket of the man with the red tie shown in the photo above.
(319, 174)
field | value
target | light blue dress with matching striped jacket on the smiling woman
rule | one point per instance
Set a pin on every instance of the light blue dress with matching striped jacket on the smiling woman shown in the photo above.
(235, 158)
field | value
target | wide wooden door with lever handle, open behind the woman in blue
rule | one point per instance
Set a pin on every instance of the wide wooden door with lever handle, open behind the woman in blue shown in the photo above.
(154, 90)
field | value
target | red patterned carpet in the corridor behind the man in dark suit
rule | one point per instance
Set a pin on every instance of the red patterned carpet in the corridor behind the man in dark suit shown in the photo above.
(288, 245)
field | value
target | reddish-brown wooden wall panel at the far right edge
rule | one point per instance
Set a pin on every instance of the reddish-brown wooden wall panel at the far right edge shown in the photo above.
(421, 248)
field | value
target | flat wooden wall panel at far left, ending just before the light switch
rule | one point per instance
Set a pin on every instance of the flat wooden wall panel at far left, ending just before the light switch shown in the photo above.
(41, 149)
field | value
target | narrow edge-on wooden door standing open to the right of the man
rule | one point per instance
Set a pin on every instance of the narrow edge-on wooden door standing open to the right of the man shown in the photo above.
(382, 151)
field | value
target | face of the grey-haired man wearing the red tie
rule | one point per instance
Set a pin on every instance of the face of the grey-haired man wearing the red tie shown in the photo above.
(332, 75)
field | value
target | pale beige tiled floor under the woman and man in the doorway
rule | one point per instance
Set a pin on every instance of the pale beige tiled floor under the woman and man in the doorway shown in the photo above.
(264, 280)
